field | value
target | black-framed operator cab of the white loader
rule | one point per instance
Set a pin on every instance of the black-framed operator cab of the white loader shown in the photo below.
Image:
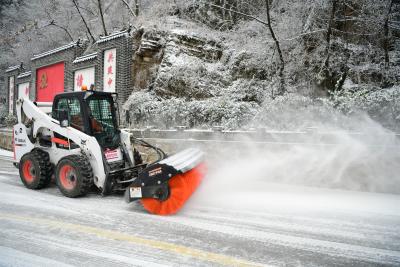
(91, 112)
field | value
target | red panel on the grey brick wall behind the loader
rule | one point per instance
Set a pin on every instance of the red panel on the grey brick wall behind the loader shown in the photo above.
(49, 82)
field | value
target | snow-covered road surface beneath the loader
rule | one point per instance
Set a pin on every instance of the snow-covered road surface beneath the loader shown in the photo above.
(282, 226)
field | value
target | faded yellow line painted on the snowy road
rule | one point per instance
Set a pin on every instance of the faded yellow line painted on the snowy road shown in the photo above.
(104, 233)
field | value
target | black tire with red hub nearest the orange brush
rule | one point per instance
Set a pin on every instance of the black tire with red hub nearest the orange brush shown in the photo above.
(74, 175)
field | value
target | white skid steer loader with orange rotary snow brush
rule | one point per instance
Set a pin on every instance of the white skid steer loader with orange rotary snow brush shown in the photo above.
(81, 145)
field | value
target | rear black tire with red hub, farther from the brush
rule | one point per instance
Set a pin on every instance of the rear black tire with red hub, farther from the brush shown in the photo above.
(35, 169)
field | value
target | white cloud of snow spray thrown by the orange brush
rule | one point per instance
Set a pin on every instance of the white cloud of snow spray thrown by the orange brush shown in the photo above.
(324, 157)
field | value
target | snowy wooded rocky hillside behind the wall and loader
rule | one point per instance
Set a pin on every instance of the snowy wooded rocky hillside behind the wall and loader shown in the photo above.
(218, 63)
